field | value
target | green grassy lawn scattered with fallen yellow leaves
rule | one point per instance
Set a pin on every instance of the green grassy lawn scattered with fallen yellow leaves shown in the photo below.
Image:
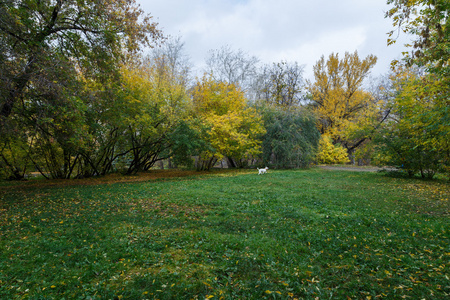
(305, 234)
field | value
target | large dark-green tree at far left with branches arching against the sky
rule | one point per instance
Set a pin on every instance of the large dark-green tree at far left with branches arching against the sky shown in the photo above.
(55, 58)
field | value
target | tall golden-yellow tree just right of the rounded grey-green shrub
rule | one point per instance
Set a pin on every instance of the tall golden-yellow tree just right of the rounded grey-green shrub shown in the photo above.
(343, 107)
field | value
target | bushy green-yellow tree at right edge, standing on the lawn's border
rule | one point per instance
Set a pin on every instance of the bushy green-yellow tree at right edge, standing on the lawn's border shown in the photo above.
(411, 140)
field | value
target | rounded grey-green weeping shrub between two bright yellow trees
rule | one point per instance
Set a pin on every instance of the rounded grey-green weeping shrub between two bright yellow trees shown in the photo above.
(292, 138)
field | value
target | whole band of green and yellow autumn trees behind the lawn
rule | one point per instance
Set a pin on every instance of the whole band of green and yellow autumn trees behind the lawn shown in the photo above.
(79, 100)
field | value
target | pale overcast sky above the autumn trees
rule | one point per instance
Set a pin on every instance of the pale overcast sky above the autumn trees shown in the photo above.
(275, 30)
